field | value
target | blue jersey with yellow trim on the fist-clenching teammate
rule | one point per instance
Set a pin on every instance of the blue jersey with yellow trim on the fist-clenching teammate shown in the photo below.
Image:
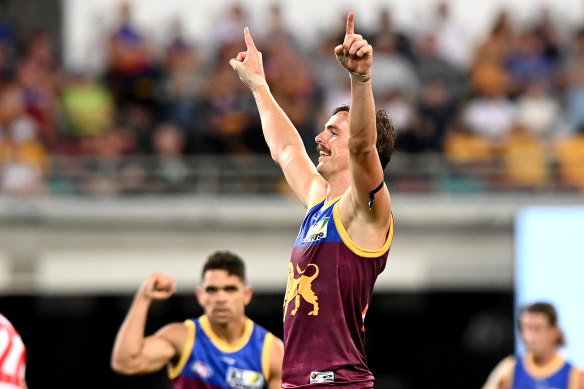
(209, 363)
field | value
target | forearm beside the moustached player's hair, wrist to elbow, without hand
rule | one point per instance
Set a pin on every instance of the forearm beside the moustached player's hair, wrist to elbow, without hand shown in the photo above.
(362, 127)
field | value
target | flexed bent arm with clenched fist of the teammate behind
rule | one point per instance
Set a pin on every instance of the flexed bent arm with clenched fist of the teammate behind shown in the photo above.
(133, 353)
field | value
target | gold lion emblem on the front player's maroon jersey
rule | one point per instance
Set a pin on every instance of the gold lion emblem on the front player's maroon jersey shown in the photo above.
(300, 287)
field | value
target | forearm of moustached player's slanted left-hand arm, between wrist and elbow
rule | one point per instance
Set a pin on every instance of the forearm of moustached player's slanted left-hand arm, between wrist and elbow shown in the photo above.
(279, 132)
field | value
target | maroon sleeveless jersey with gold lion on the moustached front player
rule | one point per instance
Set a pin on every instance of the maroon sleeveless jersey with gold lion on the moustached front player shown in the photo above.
(330, 283)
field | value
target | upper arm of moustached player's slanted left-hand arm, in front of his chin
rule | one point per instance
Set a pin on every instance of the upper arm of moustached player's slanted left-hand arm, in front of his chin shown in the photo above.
(302, 176)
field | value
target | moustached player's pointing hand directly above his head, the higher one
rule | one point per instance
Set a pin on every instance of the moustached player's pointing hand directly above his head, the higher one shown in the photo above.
(355, 54)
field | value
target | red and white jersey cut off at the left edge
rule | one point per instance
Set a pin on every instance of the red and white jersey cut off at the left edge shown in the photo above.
(12, 356)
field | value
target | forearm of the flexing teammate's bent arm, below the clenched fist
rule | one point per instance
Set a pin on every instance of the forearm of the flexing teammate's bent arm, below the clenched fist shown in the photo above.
(130, 338)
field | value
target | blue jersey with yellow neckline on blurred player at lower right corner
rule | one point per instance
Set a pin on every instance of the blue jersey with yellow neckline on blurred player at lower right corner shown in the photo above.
(559, 374)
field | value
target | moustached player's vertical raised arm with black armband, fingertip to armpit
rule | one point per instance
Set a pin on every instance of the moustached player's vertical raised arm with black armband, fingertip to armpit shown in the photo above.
(356, 55)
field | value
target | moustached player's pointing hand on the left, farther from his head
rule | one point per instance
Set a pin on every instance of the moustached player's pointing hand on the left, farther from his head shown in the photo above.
(248, 64)
